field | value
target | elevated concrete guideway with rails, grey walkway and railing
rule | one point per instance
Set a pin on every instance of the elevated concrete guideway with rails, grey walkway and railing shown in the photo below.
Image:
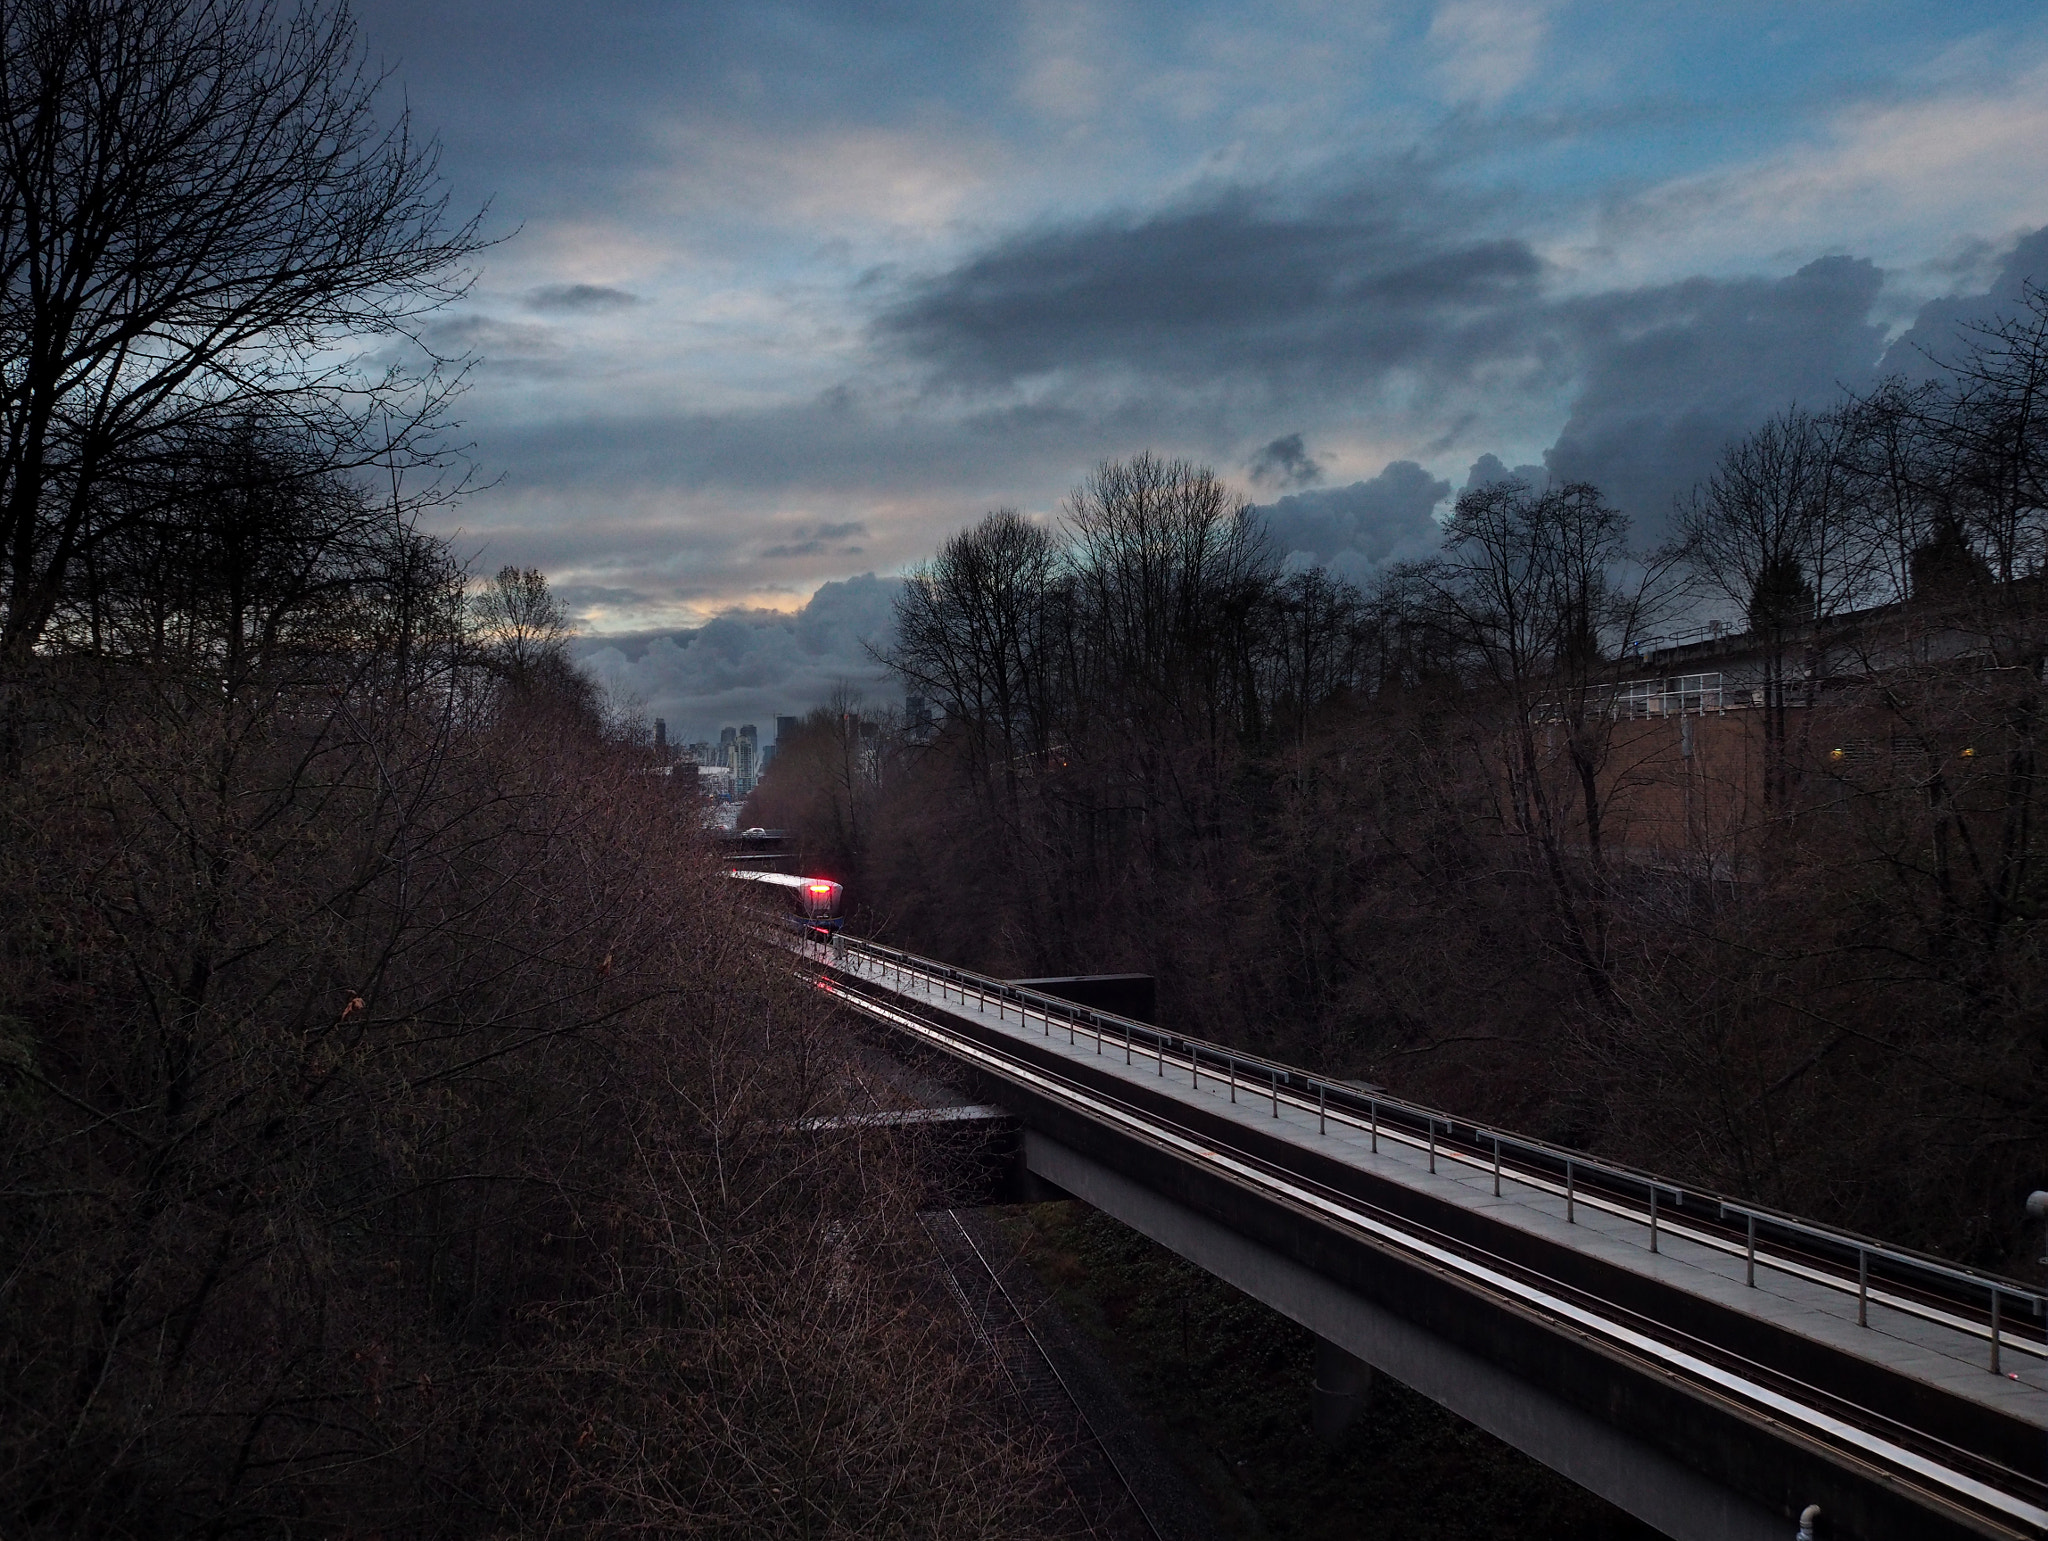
(1846, 1382)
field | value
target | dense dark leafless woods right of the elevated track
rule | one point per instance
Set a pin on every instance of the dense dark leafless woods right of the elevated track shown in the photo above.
(1410, 833)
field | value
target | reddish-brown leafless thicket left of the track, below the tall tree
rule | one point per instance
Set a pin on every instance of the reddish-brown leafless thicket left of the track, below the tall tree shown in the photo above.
(413, 1134)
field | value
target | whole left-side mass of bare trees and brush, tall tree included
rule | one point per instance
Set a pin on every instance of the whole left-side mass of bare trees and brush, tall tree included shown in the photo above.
(400, 1128)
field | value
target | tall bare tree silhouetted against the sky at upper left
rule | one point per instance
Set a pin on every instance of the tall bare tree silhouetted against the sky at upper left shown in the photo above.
(200, 214)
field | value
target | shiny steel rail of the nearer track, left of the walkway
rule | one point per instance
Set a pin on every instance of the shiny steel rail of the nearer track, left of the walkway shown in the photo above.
(1496, 1278)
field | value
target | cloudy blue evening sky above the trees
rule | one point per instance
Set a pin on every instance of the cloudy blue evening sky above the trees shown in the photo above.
(783, 294)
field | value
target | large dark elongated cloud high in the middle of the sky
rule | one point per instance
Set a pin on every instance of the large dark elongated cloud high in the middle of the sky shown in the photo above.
(1347, 286)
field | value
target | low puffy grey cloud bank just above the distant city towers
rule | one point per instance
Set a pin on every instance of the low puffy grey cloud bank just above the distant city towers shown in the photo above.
(751, 667)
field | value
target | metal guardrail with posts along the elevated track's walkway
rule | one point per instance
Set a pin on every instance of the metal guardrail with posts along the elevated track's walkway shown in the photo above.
(1570, 1173)
